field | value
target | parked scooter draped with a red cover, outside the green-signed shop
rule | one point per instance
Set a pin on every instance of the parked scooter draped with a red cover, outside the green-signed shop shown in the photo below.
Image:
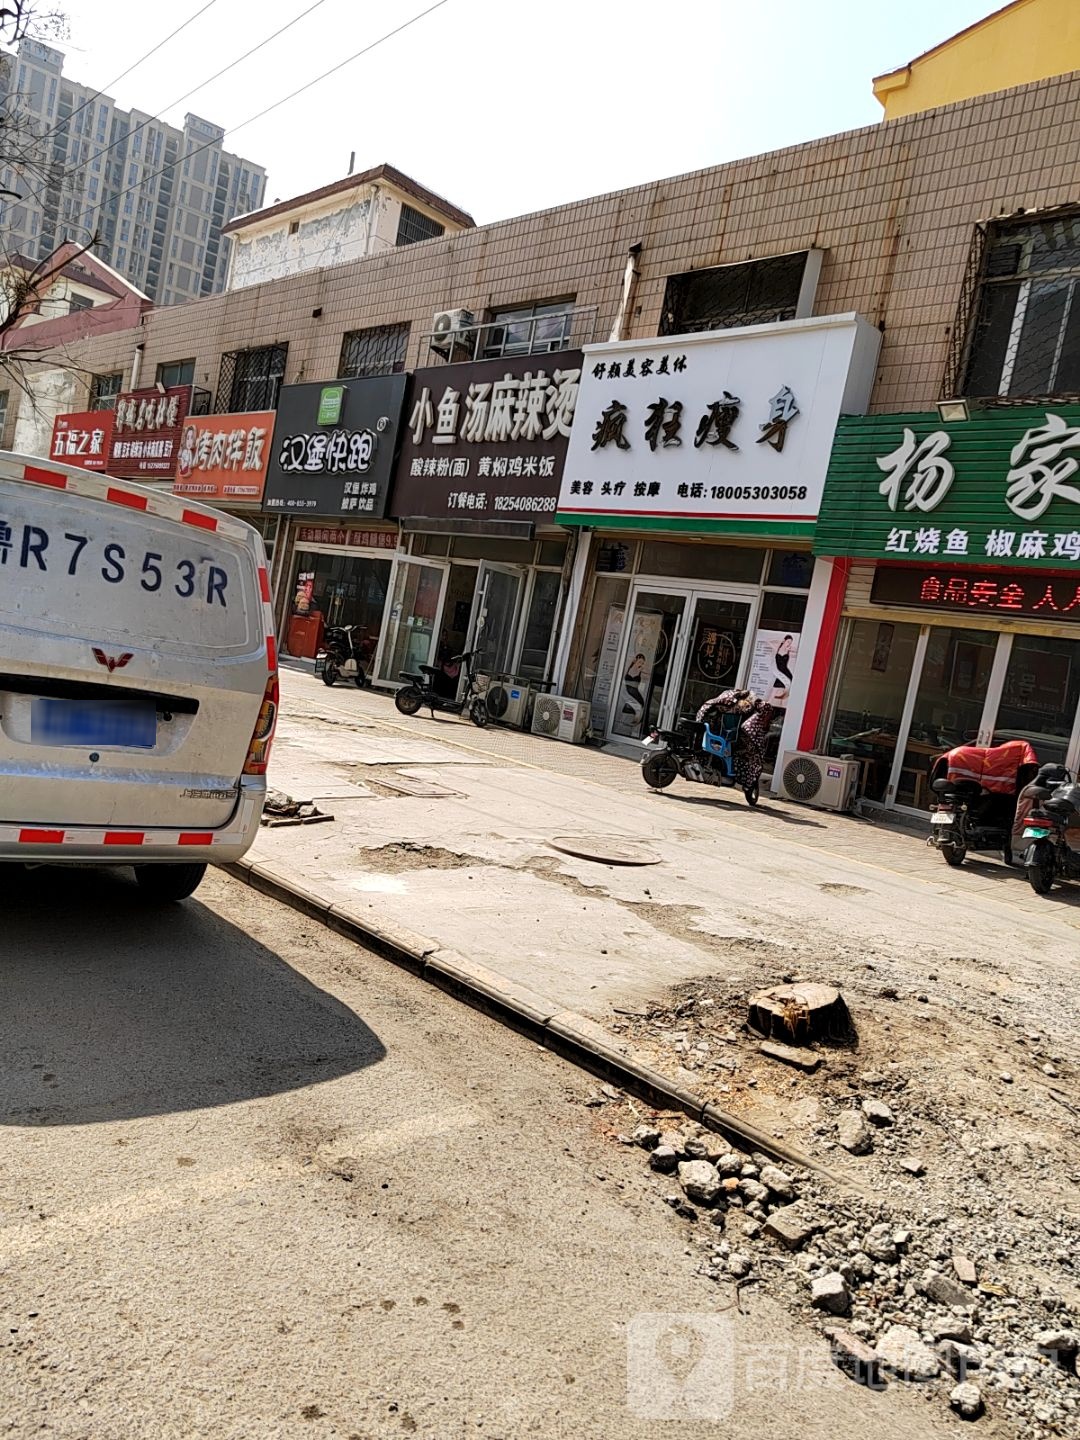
(977, 790)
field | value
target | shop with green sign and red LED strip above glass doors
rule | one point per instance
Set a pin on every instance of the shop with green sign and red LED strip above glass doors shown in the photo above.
(958, 551)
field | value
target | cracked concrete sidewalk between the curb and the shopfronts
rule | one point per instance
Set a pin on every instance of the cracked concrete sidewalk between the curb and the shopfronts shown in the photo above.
(453, 833)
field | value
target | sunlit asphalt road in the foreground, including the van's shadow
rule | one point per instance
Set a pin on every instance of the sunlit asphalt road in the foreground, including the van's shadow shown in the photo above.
(256, 1183)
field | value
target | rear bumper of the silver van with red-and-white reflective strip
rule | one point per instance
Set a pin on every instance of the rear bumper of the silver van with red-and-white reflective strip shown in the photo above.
(114, 846)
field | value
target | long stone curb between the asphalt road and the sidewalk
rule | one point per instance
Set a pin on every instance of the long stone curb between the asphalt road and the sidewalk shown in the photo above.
(564, 1032)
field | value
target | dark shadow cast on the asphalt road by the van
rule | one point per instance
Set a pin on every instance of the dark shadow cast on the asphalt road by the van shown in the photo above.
(116, 1009)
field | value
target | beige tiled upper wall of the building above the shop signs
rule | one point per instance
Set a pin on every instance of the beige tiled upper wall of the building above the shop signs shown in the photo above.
(894, 208)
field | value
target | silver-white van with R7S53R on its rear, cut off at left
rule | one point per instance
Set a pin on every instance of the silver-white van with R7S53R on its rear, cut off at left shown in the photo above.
(139, 678)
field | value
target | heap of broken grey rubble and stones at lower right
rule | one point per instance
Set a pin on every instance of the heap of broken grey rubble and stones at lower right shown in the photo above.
(906, 1294)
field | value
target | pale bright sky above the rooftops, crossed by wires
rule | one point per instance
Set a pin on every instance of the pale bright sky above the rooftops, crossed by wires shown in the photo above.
(512, 106)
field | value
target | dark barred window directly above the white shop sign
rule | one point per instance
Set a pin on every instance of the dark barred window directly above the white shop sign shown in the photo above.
(754, 293)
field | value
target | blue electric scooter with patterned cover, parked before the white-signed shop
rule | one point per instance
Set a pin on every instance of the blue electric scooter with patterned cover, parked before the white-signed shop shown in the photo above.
(722, 745)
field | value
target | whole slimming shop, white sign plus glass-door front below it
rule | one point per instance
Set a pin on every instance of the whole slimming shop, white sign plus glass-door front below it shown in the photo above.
(695, 476)
